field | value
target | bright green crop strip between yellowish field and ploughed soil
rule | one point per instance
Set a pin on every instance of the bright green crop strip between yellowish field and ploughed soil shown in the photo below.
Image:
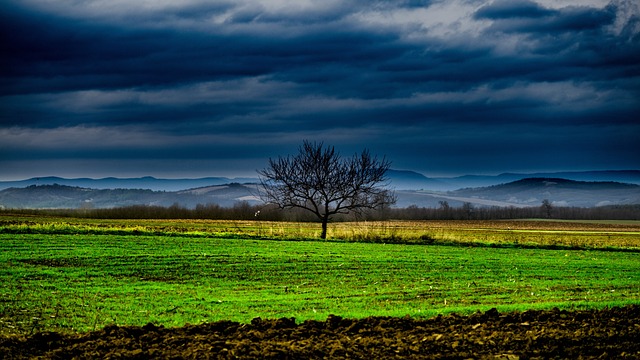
(67, 282)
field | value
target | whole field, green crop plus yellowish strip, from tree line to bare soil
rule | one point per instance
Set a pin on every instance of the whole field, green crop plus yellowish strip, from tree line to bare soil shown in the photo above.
(79, 275)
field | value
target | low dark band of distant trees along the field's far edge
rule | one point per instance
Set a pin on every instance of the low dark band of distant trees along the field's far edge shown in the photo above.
(247, 211)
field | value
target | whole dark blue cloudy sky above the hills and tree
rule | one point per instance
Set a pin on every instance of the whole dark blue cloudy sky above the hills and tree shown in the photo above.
(197, 88)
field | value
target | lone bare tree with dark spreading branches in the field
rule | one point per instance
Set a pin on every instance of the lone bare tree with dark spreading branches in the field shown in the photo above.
(317, 179)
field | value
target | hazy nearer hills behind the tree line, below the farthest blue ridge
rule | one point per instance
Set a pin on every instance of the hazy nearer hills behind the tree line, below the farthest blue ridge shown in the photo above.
(520, 193)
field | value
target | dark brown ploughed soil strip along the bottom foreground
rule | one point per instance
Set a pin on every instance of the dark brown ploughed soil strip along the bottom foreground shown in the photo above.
(607, 333)
